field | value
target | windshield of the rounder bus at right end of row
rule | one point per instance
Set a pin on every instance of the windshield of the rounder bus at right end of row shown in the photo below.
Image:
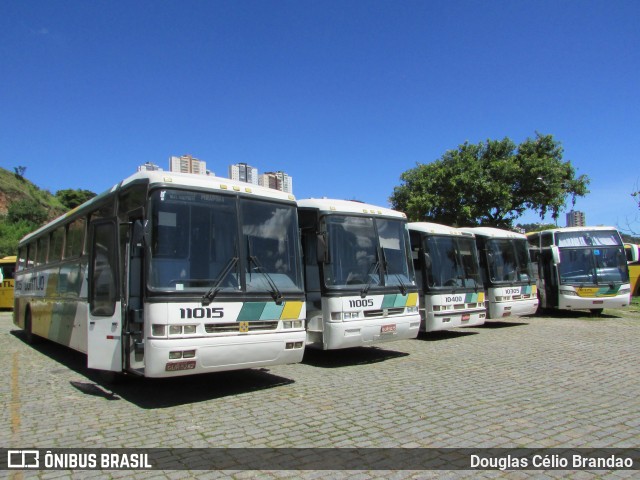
(591, 258)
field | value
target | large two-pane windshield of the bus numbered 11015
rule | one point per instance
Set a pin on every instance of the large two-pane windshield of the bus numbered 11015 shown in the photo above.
(202, 241)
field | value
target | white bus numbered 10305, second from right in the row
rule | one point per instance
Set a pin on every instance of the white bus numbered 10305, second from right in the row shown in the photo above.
(507, 272)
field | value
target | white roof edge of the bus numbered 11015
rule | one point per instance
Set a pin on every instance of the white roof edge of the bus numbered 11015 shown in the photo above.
(178, 179)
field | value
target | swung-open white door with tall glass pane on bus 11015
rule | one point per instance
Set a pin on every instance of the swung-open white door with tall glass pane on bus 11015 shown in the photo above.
(104, 342)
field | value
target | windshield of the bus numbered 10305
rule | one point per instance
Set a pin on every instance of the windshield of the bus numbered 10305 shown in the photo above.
(508, 260)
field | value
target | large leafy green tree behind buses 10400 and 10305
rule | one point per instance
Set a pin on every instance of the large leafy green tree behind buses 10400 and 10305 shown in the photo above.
(491, 183)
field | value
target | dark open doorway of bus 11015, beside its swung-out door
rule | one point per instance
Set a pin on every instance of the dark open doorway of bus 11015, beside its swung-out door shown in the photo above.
(134, 314)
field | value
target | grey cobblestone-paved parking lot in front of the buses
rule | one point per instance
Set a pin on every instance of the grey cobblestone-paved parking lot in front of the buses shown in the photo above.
(563, 381)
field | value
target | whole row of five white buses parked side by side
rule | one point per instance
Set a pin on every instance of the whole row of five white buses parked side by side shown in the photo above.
(168, 274)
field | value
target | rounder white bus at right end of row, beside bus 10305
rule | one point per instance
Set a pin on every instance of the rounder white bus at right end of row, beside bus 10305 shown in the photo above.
(581, 268)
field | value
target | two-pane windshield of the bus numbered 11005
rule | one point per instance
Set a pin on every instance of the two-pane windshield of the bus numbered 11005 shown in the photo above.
(367, 252)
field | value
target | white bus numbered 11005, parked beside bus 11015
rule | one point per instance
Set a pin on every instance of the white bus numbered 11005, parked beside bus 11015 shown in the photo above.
(359, 279)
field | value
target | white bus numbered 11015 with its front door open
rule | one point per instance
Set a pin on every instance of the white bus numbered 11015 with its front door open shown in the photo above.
(168, 274)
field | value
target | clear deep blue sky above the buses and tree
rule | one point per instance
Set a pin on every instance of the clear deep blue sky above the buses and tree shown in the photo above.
(342, 95)
